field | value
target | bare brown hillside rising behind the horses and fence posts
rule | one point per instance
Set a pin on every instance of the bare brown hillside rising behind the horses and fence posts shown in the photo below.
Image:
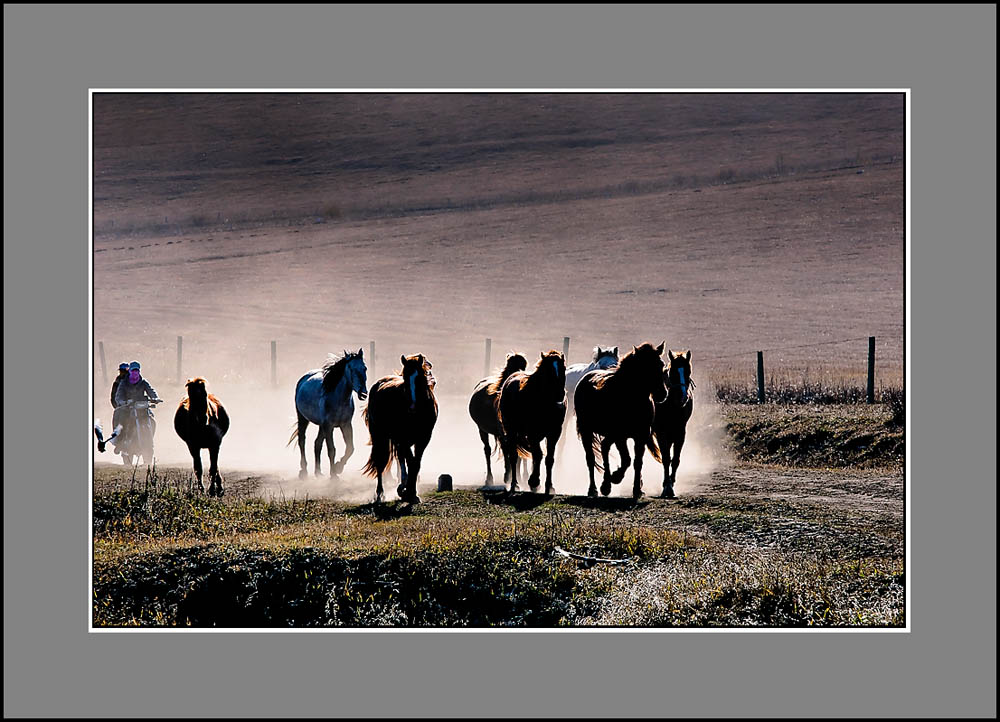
(723, 223)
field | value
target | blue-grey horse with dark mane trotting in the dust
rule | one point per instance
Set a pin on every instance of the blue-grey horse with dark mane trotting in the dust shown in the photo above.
(323, 397)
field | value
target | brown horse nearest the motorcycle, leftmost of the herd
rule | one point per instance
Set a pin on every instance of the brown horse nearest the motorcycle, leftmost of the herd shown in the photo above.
(201, 422)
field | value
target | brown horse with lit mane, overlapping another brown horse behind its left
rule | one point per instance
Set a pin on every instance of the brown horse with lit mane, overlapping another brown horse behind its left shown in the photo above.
(532, 407)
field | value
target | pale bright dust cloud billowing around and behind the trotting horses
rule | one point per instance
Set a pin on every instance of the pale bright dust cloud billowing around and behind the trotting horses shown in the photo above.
(263, 419)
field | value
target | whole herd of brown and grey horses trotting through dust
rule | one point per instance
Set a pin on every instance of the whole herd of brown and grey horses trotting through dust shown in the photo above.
(639, 398)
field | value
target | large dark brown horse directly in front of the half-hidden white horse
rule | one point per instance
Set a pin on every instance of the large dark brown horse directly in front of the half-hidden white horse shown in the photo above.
(614, 406)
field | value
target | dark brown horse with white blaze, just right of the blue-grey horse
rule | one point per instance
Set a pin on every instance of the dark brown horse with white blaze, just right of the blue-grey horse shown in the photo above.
(401, 414)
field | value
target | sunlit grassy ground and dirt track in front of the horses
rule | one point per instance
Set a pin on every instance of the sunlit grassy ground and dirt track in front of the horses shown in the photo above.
(756, 546)
